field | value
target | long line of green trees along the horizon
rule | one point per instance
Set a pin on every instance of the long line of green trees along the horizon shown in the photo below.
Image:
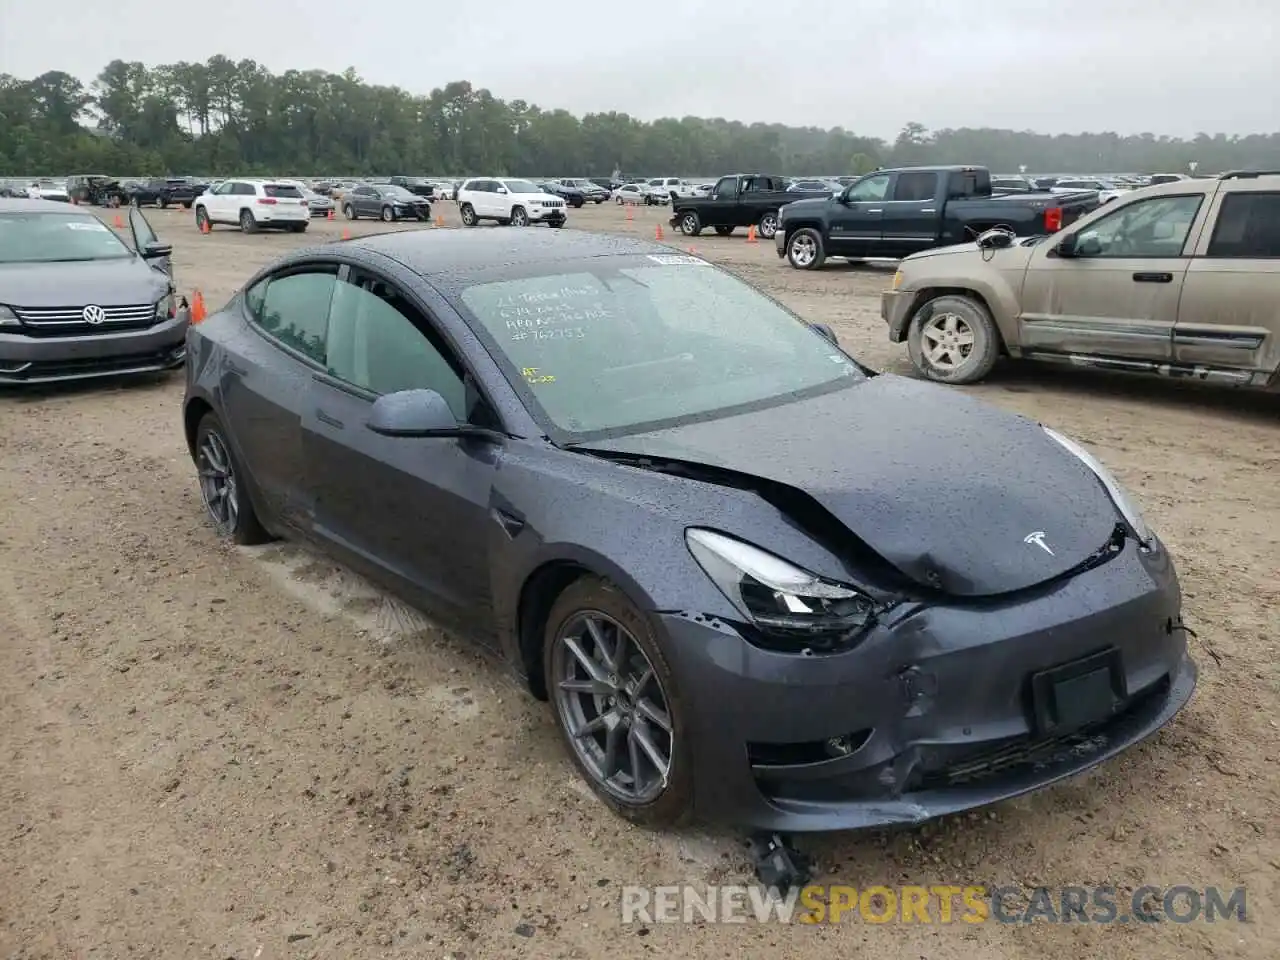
(222, 117)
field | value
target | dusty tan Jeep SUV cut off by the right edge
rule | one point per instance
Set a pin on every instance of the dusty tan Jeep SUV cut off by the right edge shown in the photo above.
(1182, 280)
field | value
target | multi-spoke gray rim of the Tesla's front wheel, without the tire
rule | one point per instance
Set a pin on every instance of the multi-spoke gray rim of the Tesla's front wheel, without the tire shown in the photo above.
(614, 707)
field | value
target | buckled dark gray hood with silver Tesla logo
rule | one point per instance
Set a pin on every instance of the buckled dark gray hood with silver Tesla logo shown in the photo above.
(957, 495)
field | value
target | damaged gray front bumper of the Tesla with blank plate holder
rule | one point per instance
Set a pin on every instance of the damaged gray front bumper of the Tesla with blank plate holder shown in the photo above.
(939, 710)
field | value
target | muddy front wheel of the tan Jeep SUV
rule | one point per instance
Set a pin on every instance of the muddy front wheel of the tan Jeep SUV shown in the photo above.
(953, 340)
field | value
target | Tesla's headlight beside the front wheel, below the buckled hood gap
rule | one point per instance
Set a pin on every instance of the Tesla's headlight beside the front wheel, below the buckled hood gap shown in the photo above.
(780, 598)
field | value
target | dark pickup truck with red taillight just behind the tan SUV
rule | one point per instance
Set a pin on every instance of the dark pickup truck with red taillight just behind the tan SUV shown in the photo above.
(892, 214)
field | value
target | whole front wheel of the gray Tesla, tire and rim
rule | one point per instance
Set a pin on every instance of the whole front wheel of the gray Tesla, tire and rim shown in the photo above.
(616, 705)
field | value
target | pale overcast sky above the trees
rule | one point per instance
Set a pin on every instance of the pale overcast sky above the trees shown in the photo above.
(1174, 67)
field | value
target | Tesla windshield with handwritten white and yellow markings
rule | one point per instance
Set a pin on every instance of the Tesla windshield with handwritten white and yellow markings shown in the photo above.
(624, 342)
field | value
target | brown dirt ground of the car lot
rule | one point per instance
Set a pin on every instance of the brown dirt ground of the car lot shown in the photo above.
(225, 753)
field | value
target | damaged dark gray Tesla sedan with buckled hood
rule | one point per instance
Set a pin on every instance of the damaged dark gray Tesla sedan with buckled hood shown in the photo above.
(758, 583)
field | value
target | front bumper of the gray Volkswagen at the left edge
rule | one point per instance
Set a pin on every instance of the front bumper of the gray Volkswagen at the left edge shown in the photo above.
(30, 360)
